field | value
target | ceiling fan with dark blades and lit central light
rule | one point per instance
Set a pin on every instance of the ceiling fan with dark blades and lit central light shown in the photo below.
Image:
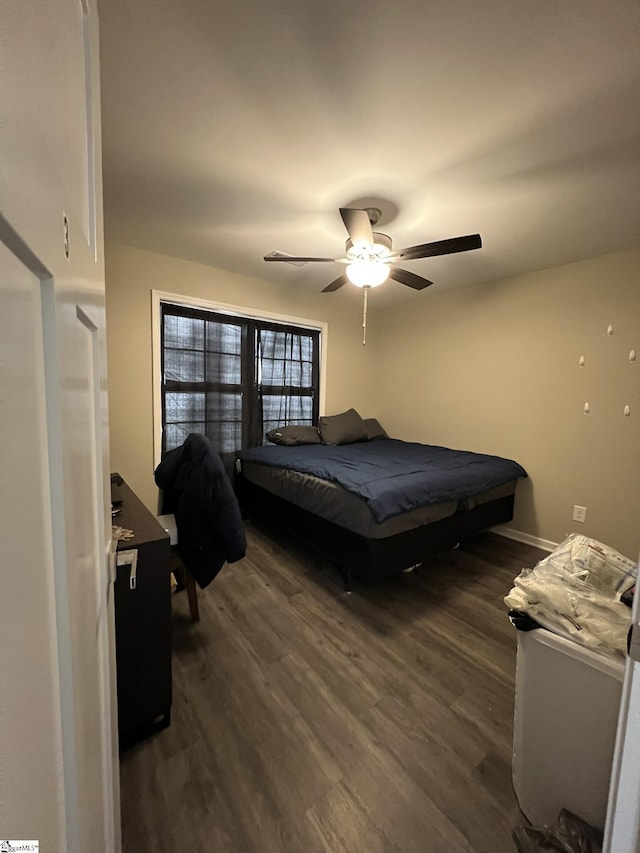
(370, 258)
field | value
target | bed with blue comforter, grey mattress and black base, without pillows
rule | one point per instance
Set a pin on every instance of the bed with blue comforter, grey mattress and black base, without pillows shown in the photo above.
(377, 507)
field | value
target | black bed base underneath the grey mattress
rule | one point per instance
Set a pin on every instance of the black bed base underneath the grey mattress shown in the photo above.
(371, 560)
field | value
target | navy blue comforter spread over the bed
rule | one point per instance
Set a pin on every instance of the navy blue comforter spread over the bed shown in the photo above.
(394, 476)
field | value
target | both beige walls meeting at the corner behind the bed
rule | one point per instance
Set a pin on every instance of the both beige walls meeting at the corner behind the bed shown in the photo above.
(493, 368)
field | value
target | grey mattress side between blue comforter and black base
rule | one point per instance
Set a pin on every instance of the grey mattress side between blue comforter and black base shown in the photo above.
(346, 509)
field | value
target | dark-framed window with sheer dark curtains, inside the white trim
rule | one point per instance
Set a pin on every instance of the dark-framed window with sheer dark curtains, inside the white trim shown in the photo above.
(234, 378)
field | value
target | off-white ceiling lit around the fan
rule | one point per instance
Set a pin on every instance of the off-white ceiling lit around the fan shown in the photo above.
(234, 128)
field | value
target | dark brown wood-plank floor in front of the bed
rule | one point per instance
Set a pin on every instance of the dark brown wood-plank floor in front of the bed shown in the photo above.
(307, 720)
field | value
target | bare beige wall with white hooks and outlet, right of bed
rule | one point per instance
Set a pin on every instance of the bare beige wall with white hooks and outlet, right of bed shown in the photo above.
(494, 369)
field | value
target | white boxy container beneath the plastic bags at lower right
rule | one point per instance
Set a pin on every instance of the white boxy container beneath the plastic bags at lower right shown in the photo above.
(566, 713)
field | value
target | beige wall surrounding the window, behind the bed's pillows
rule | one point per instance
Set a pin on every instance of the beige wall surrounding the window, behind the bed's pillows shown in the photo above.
(132, 274)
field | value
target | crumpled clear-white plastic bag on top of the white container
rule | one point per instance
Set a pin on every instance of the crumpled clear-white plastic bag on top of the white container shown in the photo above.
(575, 591)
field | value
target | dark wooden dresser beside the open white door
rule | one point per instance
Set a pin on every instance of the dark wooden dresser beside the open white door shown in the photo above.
(143, 619)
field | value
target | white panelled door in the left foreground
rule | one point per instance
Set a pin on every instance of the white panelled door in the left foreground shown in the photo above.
(58, 744)
